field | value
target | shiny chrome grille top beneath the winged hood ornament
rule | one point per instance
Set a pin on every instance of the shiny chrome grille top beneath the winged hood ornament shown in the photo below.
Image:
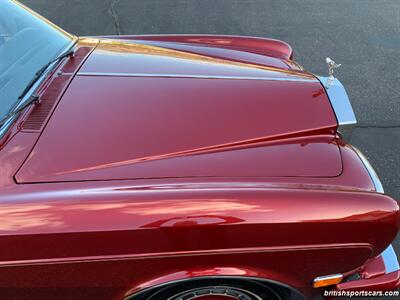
(341, 105)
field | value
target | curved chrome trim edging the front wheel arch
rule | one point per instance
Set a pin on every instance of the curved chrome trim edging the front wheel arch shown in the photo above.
(148, 289)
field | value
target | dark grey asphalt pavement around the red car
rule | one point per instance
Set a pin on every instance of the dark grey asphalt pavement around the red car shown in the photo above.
(362, 35)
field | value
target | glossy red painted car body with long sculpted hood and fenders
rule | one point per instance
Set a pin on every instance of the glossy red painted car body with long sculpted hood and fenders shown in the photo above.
(156, 160)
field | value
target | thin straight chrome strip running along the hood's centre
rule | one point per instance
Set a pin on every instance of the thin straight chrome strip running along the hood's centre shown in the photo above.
(194, 76)
